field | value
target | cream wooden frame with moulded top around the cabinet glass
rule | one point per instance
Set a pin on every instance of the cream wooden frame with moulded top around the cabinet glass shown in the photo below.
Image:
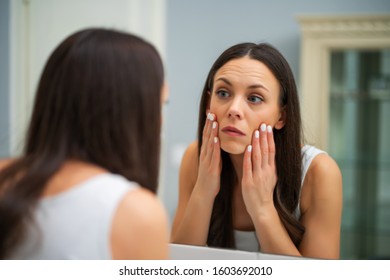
(320, 35)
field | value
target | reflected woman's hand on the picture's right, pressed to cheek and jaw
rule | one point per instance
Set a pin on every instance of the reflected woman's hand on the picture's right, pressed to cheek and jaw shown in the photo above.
(259, 172)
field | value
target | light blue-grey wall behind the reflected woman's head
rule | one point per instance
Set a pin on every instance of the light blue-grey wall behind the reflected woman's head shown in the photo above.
(198, 31)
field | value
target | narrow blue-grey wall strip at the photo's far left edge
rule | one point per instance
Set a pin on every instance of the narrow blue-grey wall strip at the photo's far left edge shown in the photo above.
(4, 77)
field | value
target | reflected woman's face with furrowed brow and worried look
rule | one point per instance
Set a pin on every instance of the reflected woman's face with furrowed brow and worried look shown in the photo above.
(245, 95)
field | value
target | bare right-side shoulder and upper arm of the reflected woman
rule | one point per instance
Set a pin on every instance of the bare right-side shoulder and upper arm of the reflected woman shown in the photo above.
(321, 207)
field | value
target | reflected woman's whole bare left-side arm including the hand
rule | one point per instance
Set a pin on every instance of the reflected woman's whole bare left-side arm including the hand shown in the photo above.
(198, 190)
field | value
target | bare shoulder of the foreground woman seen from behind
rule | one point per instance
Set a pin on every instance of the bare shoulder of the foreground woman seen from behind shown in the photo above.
(140, 227)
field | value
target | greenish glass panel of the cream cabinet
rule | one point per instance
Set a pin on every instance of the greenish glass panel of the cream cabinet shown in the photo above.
(359, 140)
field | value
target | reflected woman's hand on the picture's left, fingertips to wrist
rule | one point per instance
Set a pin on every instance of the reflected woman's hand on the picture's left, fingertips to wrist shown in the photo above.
(210, 164)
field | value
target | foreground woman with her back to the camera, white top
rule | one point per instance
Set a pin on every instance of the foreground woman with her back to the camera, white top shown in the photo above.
(84, 186)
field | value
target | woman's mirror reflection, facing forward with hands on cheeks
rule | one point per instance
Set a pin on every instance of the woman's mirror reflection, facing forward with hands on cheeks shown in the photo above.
(249, 182)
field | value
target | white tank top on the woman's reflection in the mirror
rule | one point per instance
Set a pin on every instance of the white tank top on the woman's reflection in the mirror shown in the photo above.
(247, 240)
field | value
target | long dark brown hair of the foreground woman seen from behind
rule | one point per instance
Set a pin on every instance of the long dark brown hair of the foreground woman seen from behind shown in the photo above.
(98, 101)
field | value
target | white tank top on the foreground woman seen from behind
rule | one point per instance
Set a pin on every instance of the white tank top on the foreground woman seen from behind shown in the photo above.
(75, 224)
